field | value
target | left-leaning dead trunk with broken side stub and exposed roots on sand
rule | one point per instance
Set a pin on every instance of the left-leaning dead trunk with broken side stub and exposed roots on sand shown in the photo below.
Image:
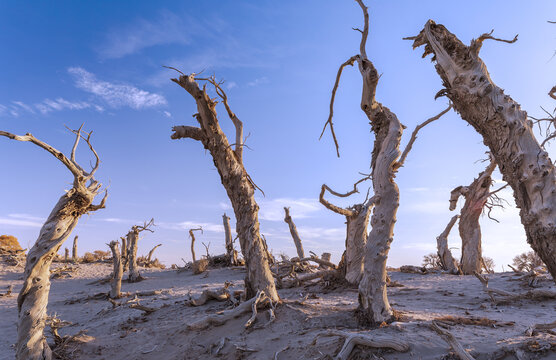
(234, 177)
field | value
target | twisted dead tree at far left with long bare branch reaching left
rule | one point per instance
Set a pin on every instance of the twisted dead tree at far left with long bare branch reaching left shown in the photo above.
(33, 297)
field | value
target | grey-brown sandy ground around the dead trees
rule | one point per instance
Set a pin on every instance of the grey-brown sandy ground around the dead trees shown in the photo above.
(125, 333)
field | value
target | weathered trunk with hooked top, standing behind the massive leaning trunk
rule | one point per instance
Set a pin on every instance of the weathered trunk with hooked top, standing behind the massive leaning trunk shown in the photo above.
(476, 196)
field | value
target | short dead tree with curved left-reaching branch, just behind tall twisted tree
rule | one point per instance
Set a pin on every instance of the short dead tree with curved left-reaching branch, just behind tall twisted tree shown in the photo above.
(357, 220)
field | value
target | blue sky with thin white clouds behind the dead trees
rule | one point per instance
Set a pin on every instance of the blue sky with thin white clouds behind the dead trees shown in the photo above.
(100, 63)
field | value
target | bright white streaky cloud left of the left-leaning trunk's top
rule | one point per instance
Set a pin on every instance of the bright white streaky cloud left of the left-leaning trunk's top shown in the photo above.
(116, 95)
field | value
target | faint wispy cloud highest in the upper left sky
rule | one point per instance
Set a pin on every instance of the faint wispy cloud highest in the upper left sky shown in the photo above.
(166, 28)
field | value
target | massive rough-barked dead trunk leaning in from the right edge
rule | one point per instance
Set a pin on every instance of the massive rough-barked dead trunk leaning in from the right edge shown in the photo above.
(505, 129)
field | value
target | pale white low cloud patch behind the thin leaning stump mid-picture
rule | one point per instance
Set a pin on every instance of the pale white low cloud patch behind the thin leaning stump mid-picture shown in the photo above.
(273, 210)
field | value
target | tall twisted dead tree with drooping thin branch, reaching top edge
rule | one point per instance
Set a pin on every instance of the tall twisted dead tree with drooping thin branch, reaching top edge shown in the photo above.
(385, 161)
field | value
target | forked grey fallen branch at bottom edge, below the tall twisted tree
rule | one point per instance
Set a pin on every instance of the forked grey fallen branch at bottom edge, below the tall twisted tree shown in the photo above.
(352, 339)
